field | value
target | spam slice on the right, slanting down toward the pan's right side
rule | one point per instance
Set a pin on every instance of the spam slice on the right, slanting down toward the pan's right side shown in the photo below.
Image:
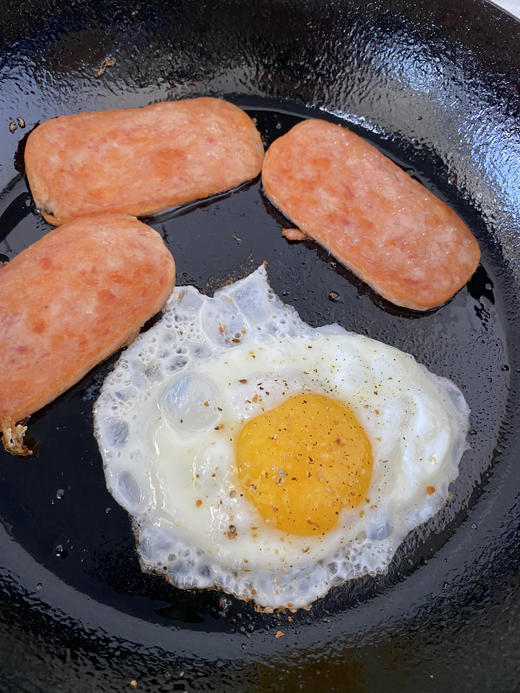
(373, 217)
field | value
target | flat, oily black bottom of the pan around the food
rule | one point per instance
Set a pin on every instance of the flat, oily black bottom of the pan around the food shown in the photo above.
(56, 506)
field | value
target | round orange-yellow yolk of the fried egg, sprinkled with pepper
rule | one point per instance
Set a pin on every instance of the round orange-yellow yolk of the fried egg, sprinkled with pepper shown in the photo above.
(301, 463)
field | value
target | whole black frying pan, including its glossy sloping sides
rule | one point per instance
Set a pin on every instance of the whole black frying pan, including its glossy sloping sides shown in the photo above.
(436, 85)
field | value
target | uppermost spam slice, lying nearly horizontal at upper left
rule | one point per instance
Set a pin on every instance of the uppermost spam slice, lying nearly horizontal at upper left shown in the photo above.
(140, 160)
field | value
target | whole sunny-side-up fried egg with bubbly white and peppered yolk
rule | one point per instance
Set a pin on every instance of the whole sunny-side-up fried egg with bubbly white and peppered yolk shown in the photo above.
(269, 459)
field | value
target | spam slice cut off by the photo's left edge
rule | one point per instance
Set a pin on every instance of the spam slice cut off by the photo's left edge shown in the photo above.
(69, 301)
